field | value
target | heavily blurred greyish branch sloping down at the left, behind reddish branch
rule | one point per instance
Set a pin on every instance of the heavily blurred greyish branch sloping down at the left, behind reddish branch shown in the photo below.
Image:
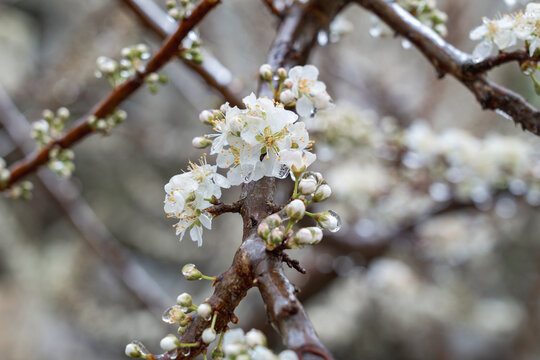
(117, 259)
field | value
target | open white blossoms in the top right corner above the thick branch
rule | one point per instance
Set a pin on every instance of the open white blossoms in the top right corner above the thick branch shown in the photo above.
(505, 32)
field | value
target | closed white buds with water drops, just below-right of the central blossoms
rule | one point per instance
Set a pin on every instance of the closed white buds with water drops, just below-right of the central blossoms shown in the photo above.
(277, 230)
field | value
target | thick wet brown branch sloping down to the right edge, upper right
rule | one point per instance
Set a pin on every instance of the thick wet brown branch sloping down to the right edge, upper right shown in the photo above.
(448, 60)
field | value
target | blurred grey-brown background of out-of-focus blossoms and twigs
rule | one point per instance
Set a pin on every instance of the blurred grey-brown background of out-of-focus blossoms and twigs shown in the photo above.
(434, 260)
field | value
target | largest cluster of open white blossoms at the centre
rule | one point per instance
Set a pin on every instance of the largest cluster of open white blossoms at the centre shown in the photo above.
(249, 141)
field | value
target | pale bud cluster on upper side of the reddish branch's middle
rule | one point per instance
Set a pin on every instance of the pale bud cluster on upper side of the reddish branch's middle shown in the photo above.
(133, 60)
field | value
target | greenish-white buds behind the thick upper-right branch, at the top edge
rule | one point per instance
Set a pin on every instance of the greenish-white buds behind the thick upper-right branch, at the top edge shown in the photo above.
(424, 10)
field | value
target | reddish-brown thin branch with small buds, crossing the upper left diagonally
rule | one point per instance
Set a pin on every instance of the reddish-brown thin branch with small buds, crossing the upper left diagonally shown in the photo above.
(115, 97)
